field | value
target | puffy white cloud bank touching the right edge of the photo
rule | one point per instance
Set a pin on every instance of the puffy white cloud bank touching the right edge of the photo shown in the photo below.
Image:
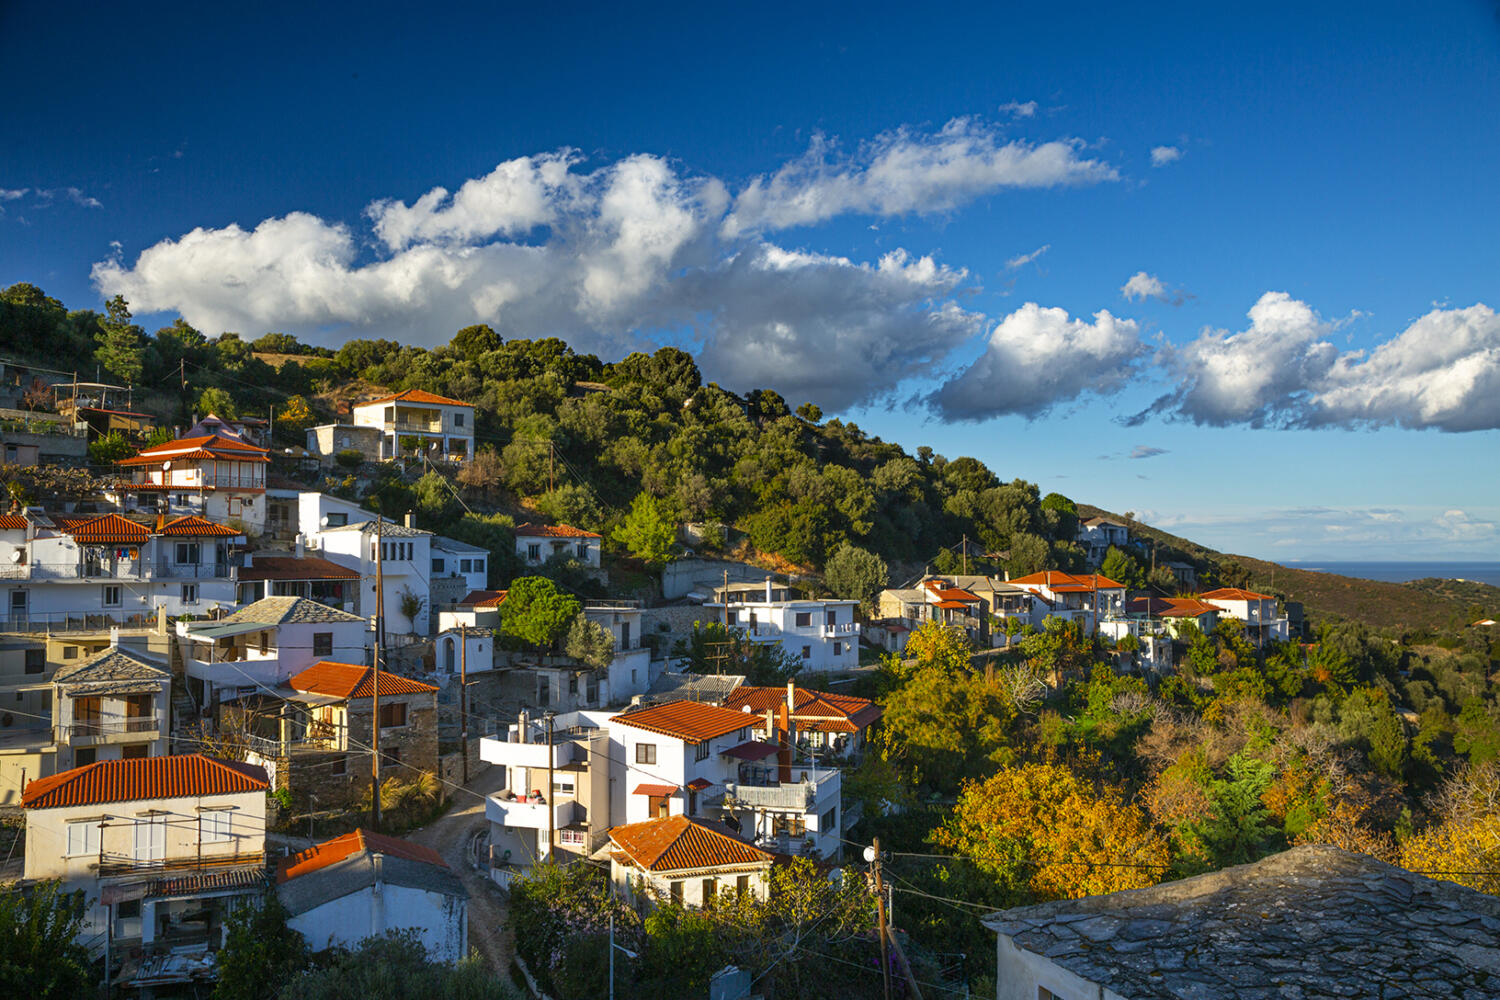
(1444, 371)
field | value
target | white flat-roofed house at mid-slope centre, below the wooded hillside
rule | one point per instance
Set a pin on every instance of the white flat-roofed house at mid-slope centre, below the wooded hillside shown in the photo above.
(823, 633)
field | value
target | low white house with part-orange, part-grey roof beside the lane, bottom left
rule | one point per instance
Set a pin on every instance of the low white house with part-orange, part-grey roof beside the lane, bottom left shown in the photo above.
(364, 885)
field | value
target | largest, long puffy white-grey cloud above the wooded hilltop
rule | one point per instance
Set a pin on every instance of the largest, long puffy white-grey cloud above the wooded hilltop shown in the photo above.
(610, 259)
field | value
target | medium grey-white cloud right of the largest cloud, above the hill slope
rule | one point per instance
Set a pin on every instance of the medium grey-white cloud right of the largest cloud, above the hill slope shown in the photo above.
(1040, 358)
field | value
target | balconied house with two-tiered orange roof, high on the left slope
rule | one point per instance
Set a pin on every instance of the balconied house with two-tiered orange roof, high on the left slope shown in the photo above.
(217, 476)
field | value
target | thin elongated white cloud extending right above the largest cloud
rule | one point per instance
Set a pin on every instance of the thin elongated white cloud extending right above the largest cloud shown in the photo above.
(904, 173)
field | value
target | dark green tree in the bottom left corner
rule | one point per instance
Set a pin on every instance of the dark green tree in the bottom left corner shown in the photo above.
(41, 956)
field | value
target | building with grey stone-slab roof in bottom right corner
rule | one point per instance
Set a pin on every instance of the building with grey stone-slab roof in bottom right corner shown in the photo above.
(1313, 921)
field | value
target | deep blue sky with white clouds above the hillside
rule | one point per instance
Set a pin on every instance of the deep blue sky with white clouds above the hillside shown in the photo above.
(1252, 248)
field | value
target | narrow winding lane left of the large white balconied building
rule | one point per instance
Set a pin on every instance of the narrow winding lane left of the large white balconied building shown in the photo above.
(452, 836)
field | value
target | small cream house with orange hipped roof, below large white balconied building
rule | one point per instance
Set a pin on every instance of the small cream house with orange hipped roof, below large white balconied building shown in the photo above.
(685, 860)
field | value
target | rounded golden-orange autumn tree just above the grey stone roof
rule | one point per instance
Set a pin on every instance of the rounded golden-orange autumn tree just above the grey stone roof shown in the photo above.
(1048, 834)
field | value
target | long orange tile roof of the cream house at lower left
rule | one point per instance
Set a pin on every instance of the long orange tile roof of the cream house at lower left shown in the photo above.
(145, 779)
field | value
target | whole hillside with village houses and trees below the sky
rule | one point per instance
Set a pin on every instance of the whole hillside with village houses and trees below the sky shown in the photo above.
(602, 674)
